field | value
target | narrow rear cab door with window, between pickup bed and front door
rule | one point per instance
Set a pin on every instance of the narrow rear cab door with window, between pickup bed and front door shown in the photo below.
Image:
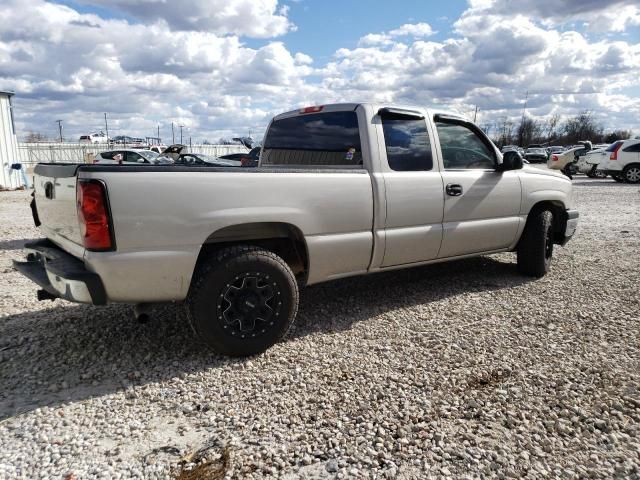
(413, 186)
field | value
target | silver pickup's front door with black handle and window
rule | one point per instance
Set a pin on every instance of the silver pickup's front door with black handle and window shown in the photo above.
(481, 205)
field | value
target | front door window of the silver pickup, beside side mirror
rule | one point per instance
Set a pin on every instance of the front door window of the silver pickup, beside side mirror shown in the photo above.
(463, 149)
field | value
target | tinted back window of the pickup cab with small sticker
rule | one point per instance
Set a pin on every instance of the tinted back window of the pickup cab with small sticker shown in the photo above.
(323, 139)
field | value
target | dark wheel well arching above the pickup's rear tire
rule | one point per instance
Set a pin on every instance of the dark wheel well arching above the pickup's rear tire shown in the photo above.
(283, 239)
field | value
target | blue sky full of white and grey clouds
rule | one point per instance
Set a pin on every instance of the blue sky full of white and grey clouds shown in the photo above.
(224, 67)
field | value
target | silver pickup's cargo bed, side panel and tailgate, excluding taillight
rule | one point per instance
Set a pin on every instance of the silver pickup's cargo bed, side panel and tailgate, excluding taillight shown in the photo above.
(163, 215)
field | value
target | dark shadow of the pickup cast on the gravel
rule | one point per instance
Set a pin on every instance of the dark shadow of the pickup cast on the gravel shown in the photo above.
(70, 353)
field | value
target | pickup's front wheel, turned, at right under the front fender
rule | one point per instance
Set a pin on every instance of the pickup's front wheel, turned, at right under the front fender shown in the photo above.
(535, 247)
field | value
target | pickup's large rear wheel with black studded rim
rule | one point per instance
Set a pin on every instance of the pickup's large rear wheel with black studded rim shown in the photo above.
(242, 300)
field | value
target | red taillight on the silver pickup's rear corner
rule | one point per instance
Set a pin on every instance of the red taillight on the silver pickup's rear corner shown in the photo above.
(93, 215)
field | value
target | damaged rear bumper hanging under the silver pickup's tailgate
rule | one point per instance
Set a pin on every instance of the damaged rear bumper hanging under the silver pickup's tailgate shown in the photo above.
(60, 274)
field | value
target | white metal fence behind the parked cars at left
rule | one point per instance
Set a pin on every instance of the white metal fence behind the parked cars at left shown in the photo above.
(32, 153)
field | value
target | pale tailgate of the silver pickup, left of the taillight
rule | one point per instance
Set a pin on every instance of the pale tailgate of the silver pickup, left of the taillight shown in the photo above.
(55, 195)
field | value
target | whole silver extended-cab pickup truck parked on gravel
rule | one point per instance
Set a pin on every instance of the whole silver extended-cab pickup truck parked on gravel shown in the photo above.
(340, 190)
